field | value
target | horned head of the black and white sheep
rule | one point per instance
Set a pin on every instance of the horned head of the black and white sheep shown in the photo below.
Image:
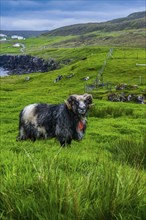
(79, 104)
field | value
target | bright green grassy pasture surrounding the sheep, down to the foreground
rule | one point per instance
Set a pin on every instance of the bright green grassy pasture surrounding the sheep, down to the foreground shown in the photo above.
(103, 176)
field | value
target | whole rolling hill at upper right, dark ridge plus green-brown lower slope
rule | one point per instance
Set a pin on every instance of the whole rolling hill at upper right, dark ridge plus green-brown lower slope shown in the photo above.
(128, 31)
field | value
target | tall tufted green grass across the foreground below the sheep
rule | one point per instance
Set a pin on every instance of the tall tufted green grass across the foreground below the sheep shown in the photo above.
(64, 188)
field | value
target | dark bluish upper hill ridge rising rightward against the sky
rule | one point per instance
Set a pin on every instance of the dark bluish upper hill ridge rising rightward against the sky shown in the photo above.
(135, 20)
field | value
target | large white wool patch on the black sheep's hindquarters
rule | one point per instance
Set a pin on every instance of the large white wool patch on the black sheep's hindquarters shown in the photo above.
(28, 113)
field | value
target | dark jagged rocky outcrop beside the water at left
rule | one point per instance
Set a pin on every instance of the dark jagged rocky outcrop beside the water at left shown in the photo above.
(24, 64)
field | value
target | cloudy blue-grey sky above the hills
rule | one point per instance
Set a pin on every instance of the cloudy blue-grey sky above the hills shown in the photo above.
(51, 14)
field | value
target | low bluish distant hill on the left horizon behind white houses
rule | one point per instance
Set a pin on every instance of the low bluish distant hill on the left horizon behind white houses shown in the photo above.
(25, 34)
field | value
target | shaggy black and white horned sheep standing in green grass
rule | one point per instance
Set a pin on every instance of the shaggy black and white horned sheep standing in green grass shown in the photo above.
(66, 121)
